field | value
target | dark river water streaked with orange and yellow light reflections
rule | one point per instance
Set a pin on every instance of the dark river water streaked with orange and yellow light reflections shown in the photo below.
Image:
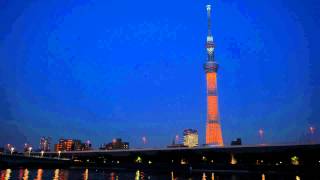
(84, 174)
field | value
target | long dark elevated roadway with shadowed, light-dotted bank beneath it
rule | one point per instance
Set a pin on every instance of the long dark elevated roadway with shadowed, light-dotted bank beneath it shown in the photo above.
(258, 158)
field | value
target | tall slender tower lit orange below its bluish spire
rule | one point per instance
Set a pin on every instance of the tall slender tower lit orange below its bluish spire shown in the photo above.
(213, 127)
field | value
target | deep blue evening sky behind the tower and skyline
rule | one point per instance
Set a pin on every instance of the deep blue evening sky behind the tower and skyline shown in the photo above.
(103, 69)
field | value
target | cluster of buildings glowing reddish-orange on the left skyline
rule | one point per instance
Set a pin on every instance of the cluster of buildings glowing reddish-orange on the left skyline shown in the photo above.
(72, 145)
